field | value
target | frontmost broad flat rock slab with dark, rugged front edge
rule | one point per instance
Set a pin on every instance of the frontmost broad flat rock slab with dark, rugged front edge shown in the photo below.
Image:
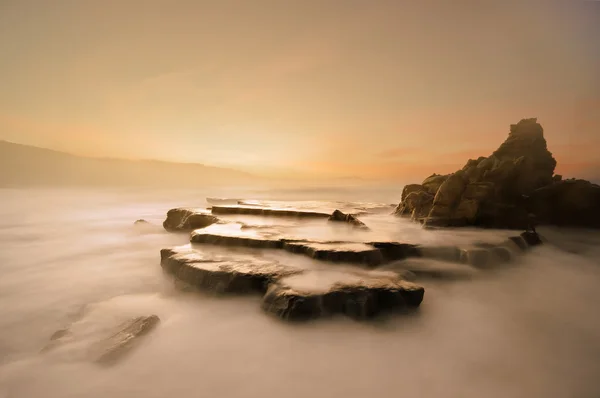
(322, 293)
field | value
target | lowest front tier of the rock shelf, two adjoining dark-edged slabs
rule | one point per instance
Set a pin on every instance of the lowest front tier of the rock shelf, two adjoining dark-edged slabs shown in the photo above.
(293, 293)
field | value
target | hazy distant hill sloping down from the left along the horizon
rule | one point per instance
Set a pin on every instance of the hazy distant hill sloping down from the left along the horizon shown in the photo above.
(23, 165)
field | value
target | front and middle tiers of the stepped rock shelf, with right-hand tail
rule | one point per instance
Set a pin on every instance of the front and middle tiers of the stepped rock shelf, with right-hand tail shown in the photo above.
(295, 293)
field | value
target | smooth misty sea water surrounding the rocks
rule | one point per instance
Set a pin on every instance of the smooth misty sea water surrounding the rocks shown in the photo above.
(73, 258)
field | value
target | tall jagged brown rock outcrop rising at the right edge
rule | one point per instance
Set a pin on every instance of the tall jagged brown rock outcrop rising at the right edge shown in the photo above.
(492, 191)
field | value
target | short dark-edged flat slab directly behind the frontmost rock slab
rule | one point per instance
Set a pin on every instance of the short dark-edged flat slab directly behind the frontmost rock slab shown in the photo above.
(358, 253)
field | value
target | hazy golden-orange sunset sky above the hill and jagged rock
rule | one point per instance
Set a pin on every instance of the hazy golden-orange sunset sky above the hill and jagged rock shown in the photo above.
(347, 88)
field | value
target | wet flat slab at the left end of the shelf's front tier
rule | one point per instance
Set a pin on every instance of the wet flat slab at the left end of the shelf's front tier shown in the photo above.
(222, 274)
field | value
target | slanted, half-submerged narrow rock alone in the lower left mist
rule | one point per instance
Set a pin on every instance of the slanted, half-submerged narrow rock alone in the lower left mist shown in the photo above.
(116, 346)
